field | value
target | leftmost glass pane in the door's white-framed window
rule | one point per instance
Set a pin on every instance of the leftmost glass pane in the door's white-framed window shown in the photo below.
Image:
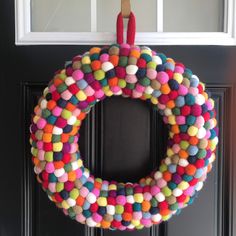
(60, 15)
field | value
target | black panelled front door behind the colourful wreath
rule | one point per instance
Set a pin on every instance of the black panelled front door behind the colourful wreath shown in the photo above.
(122, 139)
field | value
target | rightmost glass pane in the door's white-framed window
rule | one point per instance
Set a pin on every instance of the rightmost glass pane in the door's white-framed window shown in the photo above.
(193, 16)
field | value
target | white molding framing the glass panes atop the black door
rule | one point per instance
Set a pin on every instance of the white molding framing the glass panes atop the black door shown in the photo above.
(24, 36)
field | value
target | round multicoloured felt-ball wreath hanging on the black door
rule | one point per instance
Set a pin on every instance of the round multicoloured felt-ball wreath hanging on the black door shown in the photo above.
(129, 71)
